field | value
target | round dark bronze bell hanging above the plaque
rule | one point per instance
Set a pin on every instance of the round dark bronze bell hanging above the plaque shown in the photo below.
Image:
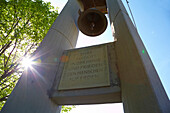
(92, 22)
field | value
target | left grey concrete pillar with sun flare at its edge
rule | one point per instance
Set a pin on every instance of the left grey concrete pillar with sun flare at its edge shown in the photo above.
(31, 92)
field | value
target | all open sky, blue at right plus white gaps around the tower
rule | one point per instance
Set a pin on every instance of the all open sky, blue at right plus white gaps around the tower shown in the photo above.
(152, 18)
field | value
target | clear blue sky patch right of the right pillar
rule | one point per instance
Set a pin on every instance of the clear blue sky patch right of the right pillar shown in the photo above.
(153, 22)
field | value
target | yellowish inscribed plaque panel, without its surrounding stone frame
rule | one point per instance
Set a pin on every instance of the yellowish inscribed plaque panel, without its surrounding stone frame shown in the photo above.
(85, 68)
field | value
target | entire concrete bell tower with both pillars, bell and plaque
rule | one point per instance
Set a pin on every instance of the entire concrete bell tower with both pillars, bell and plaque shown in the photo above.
(107, 73)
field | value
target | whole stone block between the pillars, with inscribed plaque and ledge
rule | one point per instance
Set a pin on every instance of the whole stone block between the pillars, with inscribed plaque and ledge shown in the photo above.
(87, 76)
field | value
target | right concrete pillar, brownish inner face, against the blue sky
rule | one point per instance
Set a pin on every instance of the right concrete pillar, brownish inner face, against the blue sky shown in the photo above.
(142, 91)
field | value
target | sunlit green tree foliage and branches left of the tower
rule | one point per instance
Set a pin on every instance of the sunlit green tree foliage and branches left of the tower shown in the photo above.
(23, 25)
